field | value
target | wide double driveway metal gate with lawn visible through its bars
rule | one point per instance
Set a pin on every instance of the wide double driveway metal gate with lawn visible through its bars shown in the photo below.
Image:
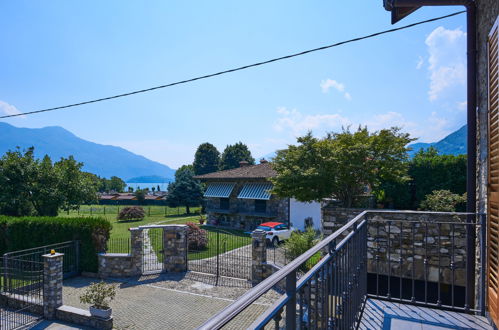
(227, 253)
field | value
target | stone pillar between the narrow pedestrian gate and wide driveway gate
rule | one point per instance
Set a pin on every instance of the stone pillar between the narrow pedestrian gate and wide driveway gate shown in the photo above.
(175, 247)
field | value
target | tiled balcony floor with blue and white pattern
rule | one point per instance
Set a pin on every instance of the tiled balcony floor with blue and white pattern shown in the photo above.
(379, 314)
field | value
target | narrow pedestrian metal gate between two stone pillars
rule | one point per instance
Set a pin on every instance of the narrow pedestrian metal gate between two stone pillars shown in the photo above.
(153, 252)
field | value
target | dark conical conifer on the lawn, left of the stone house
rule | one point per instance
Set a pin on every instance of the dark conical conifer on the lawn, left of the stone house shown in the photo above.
(185, 190)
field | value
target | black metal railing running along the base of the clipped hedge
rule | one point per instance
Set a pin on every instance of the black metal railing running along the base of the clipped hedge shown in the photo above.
(71, 250)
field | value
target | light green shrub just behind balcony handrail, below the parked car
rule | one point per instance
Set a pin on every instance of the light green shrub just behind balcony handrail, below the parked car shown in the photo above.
(299, 243)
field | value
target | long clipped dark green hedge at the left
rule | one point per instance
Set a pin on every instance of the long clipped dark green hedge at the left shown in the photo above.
(18, 233)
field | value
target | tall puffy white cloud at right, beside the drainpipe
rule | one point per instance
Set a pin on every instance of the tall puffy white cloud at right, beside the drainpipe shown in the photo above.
(447, 62)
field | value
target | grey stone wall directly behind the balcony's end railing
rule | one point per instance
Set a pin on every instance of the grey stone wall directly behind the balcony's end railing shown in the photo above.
(407, 244)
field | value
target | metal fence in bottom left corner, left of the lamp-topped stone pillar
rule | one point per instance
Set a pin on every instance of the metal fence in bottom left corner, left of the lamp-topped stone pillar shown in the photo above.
(21, 292)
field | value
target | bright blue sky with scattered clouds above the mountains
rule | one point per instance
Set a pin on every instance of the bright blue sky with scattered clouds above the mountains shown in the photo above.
(60, 52)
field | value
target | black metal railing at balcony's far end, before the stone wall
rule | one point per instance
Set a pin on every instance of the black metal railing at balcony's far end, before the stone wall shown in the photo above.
(422, 262)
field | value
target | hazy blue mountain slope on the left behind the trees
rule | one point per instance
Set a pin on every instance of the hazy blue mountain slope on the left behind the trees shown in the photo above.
(102, 160)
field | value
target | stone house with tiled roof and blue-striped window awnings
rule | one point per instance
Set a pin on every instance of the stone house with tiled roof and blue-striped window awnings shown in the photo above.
(242, 198)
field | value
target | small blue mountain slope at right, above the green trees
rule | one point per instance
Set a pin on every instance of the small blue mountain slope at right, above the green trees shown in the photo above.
(452, 144)
